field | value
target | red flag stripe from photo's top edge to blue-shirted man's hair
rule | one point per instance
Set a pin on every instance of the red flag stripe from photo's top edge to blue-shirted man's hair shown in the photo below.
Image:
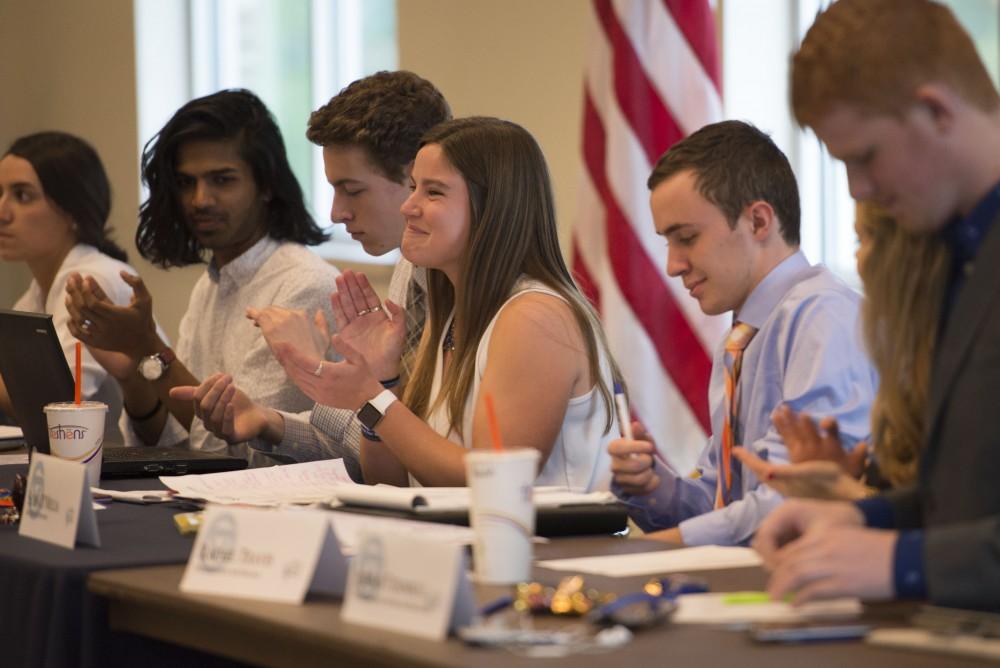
(647, 115)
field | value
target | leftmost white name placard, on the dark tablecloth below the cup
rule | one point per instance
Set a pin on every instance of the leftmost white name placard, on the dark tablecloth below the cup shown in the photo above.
(57, 504)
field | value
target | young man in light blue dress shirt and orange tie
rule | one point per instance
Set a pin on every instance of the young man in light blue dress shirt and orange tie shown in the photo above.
(726, 201)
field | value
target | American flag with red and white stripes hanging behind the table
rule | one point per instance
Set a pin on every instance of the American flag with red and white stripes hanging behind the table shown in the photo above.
(652, 77)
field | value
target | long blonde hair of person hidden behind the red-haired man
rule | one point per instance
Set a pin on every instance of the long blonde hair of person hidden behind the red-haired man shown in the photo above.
(904, 277)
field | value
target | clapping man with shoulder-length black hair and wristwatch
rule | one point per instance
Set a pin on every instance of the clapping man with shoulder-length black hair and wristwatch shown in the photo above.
(221, 191)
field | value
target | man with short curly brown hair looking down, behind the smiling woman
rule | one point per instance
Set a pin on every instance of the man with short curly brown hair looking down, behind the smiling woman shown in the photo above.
(370, 133)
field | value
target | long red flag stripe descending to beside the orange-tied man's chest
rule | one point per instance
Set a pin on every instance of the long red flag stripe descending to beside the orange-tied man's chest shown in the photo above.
(642, 284)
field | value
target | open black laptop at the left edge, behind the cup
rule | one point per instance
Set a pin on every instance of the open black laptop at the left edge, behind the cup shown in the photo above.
(35, 372)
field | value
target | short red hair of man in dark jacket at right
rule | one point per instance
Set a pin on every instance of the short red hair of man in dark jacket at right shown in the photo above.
(875, 54)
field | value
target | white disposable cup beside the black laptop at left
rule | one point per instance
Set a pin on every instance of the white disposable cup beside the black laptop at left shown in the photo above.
(76, 433)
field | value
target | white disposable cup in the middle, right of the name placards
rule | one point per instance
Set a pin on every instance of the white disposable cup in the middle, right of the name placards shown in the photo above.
(502, 513)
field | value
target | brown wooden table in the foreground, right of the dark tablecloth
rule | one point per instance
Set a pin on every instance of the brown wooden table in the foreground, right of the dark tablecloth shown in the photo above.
(147, 602)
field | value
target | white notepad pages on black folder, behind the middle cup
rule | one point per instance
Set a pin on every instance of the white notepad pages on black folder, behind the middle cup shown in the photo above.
(454, 498)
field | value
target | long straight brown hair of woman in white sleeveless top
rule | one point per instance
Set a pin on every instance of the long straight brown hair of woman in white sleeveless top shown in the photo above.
(512, 233)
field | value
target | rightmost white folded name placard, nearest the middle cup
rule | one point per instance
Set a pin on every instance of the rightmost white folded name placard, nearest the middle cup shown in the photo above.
(409, 585)
